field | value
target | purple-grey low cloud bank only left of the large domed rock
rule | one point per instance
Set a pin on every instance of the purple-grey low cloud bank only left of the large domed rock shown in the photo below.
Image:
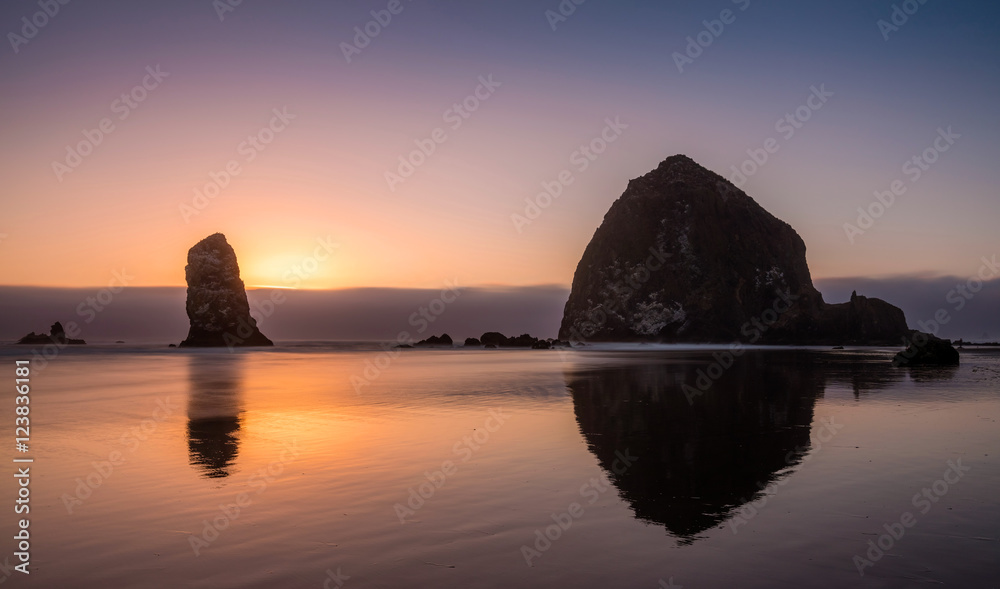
(147, 315)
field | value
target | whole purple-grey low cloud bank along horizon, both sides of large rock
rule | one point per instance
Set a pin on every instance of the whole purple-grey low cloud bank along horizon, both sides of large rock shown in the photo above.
(156, 315)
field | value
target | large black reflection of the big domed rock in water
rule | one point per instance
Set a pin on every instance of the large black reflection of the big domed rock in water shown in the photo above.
(700, 461)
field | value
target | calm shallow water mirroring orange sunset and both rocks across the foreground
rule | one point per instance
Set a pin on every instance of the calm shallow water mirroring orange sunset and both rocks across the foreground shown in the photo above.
(778, 475)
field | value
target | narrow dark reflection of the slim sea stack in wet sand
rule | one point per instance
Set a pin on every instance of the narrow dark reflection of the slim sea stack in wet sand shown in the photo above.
(214, 407)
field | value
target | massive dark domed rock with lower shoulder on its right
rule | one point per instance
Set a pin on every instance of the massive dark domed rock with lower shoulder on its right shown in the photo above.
(686, 256)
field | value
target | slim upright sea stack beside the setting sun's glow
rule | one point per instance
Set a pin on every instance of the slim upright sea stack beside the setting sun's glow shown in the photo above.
(216, 298)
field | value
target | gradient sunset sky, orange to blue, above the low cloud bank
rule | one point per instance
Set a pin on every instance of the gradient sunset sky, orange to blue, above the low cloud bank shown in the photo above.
(323, 176)
